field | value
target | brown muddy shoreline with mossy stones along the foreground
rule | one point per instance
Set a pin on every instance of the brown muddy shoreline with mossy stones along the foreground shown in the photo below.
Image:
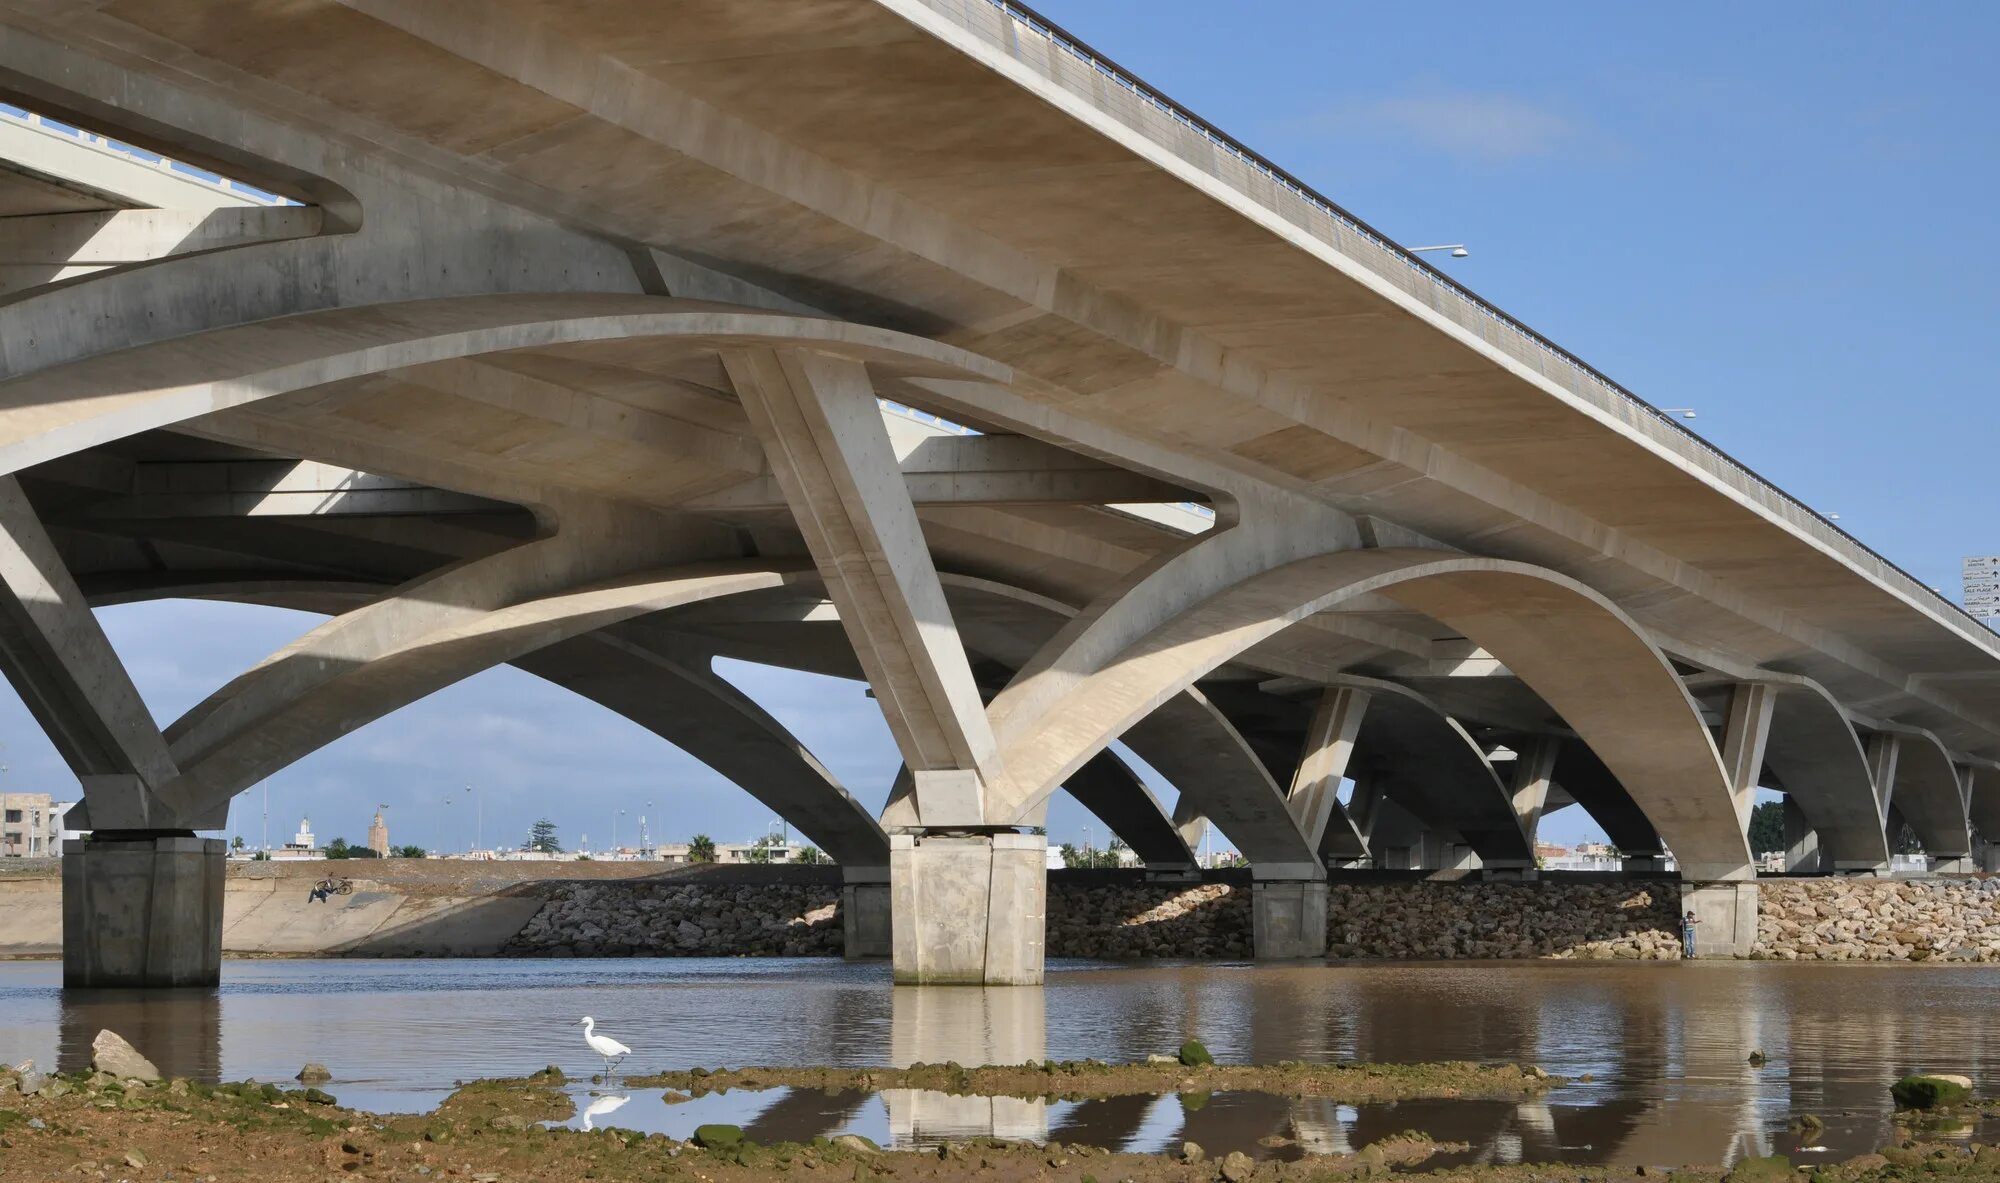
(489, 1132)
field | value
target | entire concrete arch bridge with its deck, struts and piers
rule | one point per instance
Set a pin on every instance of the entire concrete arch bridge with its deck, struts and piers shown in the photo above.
(565, 339)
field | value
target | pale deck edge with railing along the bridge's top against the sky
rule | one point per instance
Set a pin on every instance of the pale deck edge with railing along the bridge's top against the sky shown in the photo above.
(1373, 249)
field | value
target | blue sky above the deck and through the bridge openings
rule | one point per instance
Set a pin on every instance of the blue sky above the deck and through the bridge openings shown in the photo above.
(1777, 215)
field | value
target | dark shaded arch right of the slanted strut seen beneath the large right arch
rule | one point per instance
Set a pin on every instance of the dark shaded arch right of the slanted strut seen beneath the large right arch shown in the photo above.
(1431, 766)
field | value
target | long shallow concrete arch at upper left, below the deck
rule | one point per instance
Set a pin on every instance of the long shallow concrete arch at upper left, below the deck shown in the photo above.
(95, 401)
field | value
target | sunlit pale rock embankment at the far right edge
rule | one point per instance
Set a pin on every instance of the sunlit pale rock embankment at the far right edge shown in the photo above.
(1879, 920)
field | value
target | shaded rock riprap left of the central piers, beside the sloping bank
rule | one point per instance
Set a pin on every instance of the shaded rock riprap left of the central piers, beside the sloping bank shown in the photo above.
(683, 920)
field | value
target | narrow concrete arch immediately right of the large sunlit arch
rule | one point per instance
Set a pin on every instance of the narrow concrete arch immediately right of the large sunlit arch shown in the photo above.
(1821, 762)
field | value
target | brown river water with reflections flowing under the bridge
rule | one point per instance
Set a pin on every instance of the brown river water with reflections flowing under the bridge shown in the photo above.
(1667, 1044)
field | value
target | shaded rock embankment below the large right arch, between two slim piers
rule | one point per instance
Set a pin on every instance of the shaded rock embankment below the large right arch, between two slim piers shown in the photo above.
(1505, 920)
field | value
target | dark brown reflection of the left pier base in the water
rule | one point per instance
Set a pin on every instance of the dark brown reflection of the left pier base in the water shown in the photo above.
(179, 1032)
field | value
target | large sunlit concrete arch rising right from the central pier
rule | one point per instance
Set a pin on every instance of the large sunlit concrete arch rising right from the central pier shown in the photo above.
(1565, 640)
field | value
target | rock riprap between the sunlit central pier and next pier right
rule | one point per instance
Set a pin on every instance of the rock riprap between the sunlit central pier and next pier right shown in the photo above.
(1153, 920)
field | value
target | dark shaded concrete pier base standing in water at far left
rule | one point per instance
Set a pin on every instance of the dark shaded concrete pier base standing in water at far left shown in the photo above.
(143, 910)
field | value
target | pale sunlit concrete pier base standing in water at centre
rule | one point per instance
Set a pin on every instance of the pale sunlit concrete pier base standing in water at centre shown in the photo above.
(969, 910)
